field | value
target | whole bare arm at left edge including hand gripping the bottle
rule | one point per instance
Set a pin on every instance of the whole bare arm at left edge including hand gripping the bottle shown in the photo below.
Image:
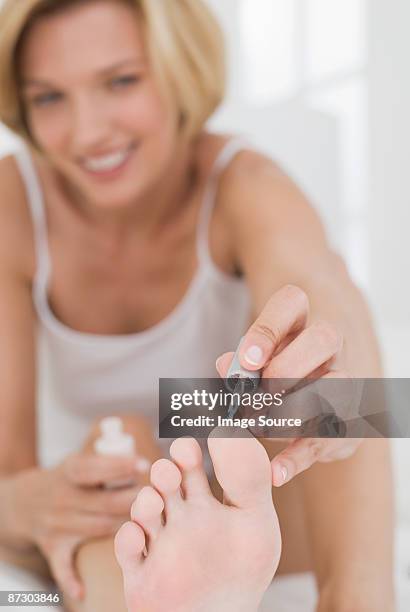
(44, 514)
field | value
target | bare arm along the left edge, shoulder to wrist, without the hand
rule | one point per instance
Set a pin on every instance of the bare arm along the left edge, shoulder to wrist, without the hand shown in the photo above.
(17, 368)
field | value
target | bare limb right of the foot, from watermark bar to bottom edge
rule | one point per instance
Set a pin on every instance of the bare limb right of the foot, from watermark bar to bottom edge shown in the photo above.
(349, 516)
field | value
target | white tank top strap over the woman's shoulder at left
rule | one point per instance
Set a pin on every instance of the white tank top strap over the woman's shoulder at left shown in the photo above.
(36, 206)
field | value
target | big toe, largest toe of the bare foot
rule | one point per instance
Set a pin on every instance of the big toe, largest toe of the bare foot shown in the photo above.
(242, 468)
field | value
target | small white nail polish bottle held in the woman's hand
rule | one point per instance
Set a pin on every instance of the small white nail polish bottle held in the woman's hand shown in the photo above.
(114, 441)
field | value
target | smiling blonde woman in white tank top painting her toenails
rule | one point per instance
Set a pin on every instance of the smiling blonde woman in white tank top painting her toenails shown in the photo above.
(143, 246)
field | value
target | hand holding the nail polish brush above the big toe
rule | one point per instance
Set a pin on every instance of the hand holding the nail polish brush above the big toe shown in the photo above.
(281, 344)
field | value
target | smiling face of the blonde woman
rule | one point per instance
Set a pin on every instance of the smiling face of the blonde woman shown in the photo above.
(93, 105)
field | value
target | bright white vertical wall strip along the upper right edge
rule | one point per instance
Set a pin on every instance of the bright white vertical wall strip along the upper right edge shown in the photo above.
(389, 128)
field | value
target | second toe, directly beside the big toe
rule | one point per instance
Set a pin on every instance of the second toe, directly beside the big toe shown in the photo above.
(187, 454)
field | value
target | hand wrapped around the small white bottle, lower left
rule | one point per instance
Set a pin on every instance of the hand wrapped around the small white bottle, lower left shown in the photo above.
(60, 508)
